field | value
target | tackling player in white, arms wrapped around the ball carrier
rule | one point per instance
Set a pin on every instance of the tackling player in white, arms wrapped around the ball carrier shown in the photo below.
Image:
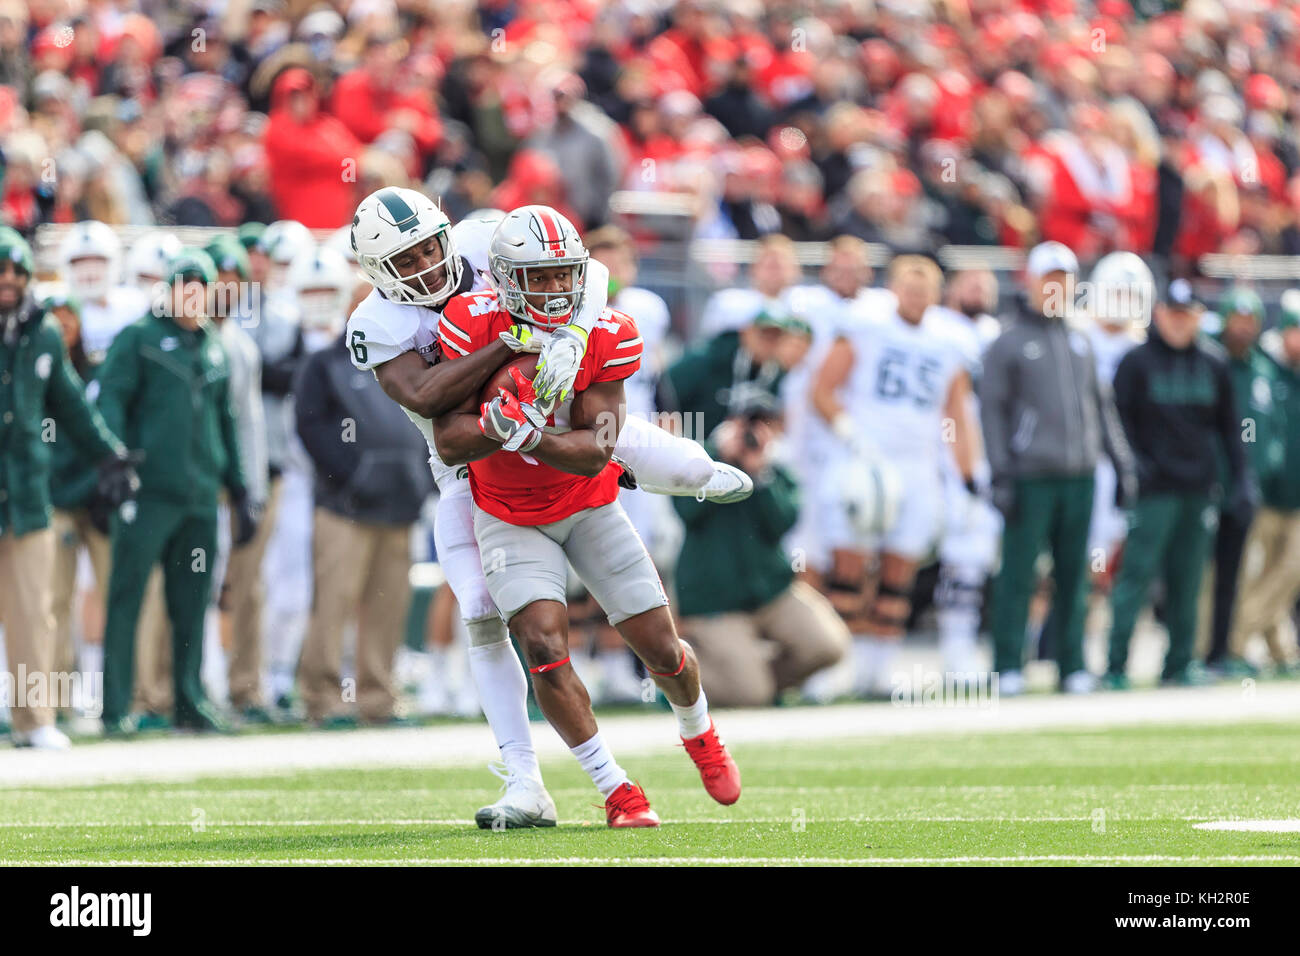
(408, 248)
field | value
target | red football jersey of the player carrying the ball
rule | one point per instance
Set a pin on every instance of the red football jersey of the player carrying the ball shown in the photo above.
(514, 486)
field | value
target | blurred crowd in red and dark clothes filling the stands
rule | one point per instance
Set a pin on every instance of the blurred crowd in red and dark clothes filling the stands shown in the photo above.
(1156, 128)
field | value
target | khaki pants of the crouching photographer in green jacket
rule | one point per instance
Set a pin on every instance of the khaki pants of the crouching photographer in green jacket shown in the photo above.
(746, 660)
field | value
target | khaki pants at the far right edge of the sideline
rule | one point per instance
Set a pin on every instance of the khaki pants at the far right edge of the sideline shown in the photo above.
(1271, 583)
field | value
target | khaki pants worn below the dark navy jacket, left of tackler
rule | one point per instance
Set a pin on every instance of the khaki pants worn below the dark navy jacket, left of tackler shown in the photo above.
(362, 572)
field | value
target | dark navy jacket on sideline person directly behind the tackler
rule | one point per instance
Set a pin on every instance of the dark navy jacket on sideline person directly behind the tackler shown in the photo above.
(371, 464)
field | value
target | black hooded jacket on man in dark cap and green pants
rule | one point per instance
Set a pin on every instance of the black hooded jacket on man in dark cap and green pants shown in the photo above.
(1180, 414)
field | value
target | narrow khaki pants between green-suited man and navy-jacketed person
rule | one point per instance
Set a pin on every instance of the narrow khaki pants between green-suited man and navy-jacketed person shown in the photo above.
(242, 599)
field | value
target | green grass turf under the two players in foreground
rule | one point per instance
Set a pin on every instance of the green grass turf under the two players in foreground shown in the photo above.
(1107, 798)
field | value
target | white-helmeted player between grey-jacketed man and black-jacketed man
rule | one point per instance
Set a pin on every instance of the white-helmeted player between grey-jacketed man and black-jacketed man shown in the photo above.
(1121, 295)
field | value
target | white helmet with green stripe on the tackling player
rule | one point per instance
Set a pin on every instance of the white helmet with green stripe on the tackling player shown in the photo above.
(393, 220)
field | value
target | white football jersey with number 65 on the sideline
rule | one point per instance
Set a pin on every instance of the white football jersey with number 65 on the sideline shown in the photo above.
(900, 383)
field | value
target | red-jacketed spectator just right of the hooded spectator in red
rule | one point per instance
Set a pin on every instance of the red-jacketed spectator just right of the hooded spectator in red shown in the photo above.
(379, 97)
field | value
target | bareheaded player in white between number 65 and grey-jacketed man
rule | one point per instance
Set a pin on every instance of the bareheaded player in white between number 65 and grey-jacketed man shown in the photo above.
(973, 527)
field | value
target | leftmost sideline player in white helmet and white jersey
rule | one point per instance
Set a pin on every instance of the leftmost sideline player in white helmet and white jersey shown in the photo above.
(90, 262)
